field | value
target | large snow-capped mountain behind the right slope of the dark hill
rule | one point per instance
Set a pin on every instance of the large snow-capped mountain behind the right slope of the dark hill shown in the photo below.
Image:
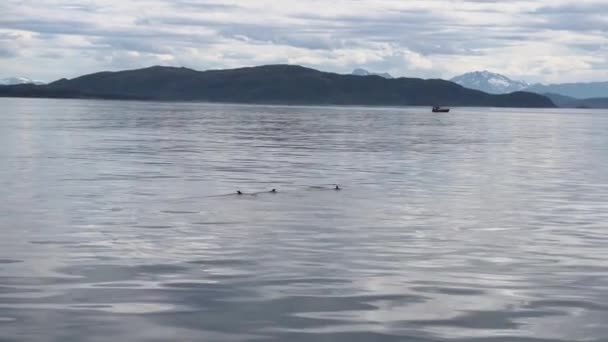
(489, 82)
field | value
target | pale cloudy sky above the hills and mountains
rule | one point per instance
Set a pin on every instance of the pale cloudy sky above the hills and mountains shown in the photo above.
(547, 41)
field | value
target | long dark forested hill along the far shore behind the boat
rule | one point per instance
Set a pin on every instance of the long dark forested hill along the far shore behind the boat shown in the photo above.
(271, 84)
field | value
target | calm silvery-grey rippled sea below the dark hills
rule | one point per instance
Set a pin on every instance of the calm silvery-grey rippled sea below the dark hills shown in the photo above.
(118, 223)
